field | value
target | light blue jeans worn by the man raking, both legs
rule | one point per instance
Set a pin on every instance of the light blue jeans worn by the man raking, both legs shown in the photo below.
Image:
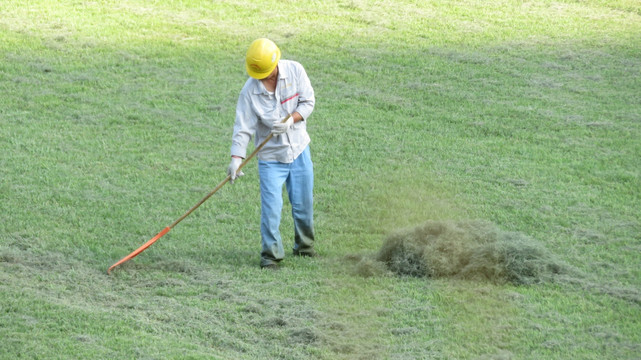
(298, 177)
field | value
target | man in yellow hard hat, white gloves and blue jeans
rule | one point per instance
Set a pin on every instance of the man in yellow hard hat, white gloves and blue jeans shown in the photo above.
(277, 90)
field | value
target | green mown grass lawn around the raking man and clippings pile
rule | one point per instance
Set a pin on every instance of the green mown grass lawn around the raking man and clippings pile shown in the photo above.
(116, 118)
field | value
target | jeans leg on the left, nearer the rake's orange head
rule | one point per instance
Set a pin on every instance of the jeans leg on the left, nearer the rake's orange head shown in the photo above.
(272, 176)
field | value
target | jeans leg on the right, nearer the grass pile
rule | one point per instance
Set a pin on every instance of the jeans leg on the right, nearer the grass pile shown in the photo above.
(300, 185)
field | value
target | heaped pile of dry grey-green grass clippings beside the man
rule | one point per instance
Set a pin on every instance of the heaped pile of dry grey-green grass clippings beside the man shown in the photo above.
(467, 250)
